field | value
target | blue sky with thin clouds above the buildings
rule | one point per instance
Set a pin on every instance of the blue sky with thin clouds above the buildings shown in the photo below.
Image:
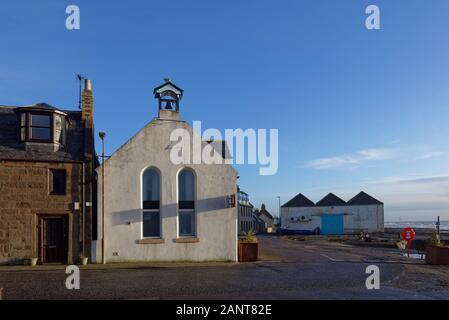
(356, 109)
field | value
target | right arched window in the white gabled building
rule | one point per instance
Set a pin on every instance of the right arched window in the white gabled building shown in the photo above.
(186, 203)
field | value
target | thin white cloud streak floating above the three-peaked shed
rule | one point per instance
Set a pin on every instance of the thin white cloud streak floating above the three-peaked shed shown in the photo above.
(351, 160)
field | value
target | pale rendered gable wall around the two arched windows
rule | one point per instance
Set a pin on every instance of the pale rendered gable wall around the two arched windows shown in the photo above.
(216, 225)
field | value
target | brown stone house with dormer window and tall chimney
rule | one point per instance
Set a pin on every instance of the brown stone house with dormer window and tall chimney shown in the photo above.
(47, 182)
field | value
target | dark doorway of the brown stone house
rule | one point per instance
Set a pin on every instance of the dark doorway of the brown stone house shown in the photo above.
(53, 239)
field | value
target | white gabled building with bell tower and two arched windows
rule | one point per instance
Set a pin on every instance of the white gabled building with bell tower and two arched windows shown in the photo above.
(158, 209)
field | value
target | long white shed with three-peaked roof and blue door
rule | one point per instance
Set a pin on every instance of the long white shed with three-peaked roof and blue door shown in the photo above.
(332, 215)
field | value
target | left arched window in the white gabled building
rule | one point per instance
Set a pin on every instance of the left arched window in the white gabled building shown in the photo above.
(151, 202)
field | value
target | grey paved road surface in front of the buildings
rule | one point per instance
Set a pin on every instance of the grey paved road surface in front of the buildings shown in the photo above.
(315, 268)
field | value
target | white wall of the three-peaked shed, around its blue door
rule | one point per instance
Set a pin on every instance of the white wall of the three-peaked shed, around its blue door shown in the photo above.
(368, 218)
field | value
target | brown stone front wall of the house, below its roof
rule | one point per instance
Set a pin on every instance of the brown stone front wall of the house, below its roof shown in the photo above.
(24, 193)
